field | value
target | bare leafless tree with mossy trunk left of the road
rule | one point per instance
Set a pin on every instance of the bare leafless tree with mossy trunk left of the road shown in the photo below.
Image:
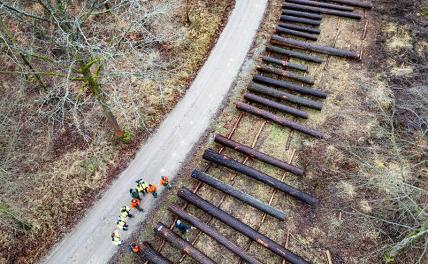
(70, 57)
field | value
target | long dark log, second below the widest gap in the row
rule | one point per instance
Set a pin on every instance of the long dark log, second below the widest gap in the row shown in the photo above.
(227, 162)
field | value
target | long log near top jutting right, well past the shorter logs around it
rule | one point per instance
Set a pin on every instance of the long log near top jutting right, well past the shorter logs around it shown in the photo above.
(316, 48)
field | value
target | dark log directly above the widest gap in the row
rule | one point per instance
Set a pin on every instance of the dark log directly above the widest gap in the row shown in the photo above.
(278, 119)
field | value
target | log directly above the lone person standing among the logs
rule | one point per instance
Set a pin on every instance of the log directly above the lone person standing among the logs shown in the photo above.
(214, 234)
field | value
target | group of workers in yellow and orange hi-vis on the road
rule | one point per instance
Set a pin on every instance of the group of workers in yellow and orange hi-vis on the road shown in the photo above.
(143, 188)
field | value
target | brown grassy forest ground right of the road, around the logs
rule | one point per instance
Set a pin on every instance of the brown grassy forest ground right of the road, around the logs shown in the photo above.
(370, 172)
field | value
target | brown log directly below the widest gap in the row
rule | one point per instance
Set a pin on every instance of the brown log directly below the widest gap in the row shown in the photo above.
(257, 155)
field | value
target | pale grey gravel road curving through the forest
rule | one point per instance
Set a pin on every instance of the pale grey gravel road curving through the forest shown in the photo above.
(164, 151)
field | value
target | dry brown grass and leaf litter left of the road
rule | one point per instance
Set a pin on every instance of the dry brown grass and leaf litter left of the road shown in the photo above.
(51, 168)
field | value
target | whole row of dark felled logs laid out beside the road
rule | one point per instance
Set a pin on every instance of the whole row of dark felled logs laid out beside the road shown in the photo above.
(281, 86)
